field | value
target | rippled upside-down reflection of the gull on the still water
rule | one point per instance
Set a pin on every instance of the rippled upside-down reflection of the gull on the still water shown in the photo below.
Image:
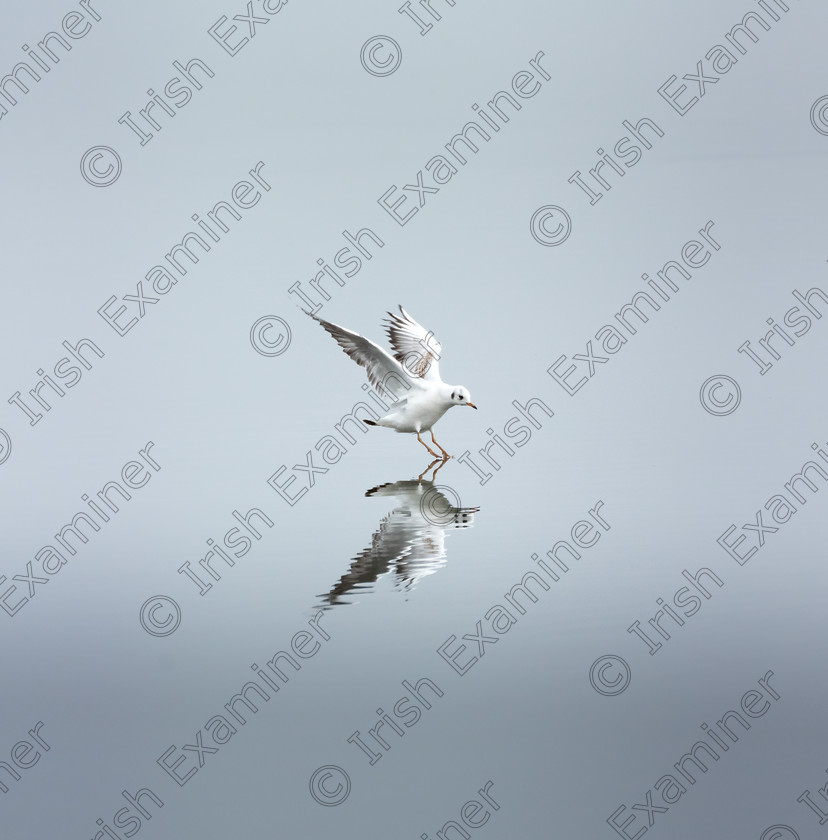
(410, 540)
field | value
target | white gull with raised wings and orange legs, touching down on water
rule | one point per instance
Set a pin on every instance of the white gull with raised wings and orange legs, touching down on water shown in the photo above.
(411, 376)
